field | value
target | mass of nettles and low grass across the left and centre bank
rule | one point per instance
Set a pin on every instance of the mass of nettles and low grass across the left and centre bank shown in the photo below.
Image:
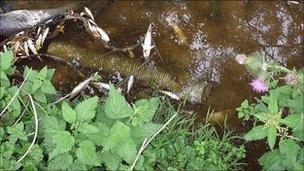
(89, 133)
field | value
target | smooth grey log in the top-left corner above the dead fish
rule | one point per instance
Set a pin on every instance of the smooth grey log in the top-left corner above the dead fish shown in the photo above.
(18, 20)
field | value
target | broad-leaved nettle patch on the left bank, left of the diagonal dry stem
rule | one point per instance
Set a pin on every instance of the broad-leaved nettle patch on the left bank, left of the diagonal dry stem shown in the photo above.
(85, 134)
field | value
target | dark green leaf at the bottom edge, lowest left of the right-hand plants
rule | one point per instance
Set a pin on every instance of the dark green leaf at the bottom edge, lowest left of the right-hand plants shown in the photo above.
(272, 160)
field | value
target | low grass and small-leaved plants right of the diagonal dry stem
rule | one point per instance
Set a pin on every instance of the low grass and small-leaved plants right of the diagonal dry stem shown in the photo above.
(183, 145)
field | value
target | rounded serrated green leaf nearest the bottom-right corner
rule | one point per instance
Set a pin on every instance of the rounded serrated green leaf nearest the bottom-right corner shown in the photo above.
(289, 148)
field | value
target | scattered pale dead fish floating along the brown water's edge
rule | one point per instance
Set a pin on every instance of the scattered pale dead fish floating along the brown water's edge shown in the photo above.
(26, 46)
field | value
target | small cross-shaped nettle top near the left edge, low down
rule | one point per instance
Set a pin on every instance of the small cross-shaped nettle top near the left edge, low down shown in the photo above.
(17, 132)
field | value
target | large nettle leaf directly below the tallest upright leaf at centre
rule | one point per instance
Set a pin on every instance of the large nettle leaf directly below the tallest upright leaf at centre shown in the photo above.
(119, 134)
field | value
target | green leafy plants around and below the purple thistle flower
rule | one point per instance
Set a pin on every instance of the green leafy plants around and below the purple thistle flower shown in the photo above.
(278, 117)
